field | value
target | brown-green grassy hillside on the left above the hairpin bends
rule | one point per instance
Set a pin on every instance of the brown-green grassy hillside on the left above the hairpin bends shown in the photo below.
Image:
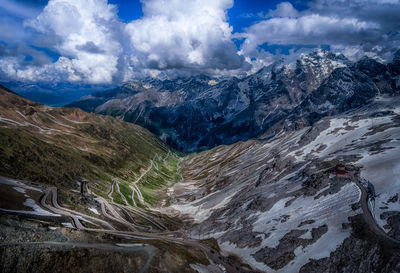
(57, 146)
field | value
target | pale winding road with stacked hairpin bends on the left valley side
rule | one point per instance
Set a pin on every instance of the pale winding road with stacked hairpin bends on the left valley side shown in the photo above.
(49, 201)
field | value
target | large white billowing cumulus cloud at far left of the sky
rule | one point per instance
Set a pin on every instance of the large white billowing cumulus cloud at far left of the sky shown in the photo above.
(84, 32)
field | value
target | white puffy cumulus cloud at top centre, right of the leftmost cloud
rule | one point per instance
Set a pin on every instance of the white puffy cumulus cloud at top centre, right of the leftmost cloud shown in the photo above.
(191, 34)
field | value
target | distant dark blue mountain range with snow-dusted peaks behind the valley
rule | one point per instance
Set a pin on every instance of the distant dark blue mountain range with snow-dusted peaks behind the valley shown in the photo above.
(200, 111)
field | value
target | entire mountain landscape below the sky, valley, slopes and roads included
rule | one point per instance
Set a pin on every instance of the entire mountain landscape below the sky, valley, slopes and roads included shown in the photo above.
(295, 168)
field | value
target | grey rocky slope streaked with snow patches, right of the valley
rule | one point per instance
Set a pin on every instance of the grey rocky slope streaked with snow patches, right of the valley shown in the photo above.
(297, 202)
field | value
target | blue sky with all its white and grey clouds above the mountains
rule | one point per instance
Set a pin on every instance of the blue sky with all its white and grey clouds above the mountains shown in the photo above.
(111, 41)
